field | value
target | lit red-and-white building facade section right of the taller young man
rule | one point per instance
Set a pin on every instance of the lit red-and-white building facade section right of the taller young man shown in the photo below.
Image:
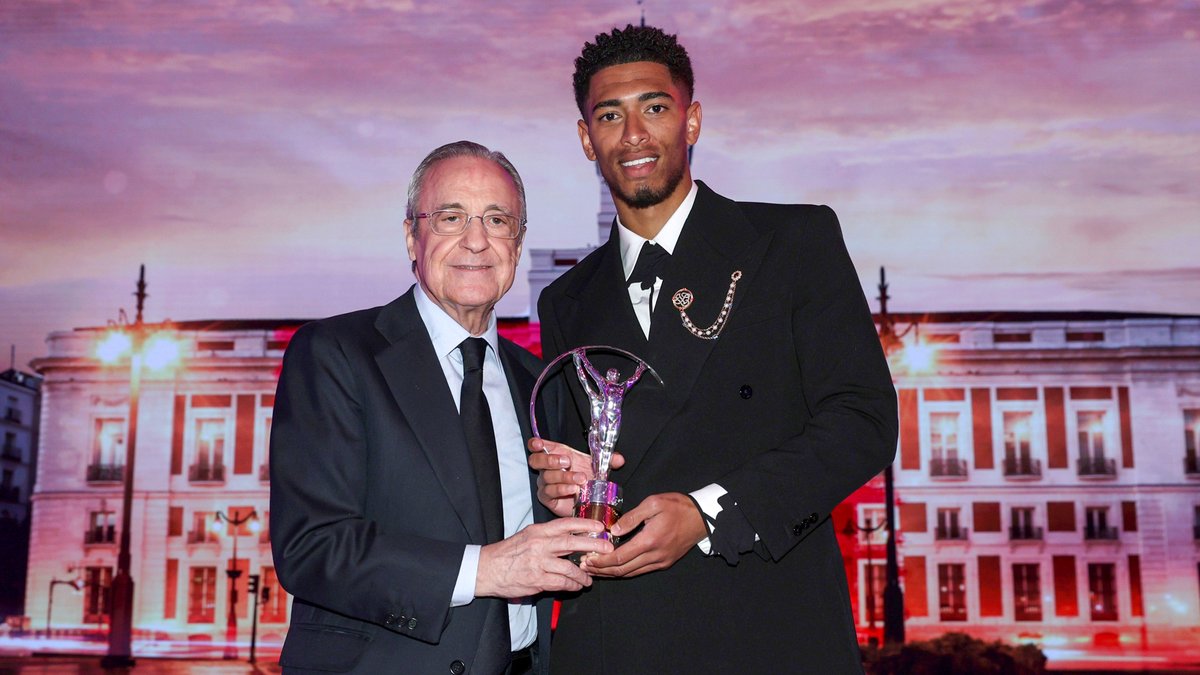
(1047, 481)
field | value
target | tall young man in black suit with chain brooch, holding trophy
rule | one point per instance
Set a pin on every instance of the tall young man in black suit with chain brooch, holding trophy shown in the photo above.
(777, 404)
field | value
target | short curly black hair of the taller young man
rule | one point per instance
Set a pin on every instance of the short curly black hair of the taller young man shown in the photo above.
(628, 46)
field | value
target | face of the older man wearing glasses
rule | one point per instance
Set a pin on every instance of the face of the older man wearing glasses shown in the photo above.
(466, 274)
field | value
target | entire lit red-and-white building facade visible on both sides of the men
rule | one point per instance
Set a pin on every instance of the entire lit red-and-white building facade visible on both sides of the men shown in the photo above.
(1048, 483)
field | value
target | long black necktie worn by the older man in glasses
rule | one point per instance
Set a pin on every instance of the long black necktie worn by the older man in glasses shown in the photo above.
(477, 423)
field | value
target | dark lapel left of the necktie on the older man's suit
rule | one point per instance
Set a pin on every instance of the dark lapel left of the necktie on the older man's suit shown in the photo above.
(415, 377)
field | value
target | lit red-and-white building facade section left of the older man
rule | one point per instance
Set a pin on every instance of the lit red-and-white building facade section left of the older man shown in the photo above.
(202, 450)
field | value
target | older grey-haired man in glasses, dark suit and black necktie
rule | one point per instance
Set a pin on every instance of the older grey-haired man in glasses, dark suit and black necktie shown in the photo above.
(403, 510)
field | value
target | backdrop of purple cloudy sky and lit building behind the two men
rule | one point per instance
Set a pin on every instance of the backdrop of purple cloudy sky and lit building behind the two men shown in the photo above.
(1025, 172)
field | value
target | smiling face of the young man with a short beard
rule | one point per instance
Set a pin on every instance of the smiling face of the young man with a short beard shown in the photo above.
(638, 129)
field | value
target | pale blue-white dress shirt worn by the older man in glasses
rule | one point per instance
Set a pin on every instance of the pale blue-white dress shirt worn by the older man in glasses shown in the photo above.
(447, 334)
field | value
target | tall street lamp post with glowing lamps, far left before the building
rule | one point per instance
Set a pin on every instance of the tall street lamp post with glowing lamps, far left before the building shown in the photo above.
(130, 339)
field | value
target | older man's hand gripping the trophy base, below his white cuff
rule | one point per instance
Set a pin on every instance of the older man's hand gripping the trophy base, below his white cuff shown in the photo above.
(531, 561)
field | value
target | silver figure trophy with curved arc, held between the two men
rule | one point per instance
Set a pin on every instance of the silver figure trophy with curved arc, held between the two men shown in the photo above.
(599, 499)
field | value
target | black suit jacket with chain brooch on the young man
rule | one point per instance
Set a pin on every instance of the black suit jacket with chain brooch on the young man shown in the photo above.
(790, 410)
